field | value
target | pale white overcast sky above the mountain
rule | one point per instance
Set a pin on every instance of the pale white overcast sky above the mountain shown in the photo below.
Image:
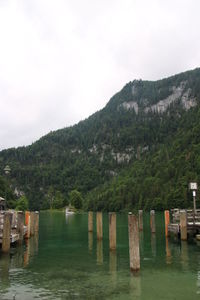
(62, 60)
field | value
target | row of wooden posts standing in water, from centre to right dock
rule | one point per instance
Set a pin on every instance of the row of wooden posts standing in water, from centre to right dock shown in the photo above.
(135, 224)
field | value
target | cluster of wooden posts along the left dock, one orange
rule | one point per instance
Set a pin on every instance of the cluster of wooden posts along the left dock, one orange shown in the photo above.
(27, 225)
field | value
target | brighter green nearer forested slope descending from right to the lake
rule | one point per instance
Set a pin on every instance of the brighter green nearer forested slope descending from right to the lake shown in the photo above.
(160, 178)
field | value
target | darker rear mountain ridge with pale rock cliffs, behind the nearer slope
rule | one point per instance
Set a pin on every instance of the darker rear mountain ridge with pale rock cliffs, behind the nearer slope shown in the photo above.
(135, 122)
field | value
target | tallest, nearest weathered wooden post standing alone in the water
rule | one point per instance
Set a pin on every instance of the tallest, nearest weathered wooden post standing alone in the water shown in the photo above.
(134, 251)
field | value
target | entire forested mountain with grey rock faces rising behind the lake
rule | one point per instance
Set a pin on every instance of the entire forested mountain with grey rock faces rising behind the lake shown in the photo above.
(141, 150)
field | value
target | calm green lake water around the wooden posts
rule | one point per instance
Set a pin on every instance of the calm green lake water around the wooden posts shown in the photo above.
(65, 262)
